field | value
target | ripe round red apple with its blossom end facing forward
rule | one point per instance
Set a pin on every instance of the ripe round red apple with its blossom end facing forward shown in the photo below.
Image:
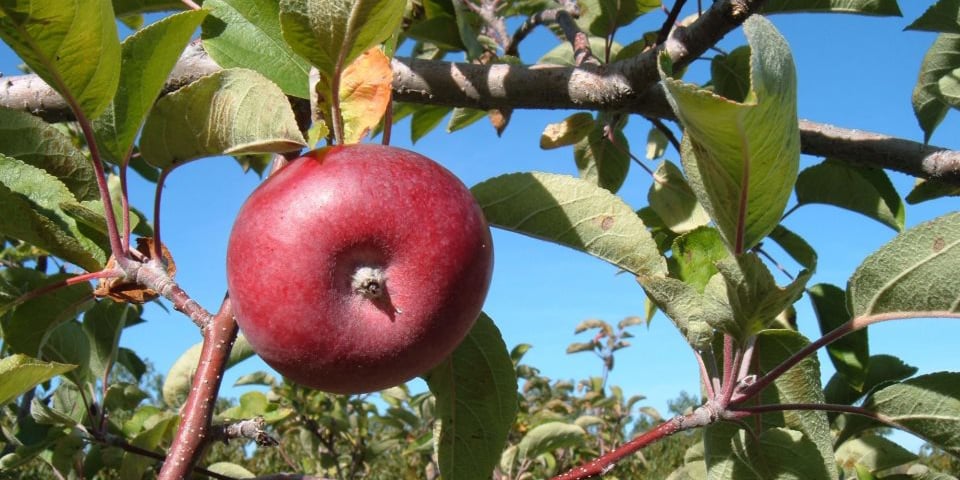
(301, 238)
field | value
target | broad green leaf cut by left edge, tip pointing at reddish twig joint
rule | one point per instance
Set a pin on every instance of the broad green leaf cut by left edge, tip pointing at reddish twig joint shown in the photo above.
(32, 198)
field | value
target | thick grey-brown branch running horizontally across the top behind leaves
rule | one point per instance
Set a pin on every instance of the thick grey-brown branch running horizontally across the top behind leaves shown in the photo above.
(628, 86)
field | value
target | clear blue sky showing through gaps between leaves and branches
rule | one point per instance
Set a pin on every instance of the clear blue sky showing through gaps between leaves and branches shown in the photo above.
(856, 72)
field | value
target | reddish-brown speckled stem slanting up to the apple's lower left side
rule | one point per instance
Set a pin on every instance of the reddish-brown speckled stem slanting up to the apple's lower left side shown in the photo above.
(194, 430)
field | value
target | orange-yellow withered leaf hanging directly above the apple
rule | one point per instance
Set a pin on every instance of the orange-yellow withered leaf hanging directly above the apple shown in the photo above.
(364, 94)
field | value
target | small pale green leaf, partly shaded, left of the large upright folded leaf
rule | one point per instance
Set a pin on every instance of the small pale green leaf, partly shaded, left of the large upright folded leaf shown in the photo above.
(674, 201)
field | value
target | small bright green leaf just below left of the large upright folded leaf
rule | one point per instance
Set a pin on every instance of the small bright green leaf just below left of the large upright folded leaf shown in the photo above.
(695, 255)
